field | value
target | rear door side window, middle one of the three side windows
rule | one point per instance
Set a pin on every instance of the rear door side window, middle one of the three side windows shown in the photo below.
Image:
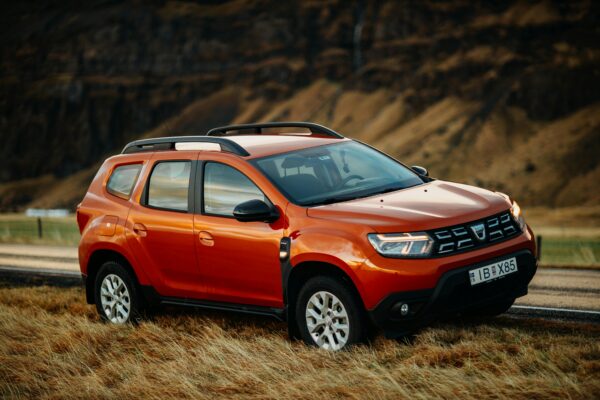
(169, 185)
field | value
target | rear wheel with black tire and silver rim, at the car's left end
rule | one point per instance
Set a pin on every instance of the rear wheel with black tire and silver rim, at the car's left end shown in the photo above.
(116, 294)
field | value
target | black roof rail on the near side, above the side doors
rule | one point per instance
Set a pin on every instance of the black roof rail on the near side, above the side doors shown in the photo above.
(168, 143)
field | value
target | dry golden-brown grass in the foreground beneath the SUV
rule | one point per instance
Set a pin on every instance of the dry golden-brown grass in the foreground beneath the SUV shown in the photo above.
(53, 346)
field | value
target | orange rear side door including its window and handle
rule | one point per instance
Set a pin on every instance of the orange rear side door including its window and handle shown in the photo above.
(161, 226)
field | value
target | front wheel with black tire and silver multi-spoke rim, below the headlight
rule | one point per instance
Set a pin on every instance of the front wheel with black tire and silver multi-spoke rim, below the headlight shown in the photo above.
(329, 315)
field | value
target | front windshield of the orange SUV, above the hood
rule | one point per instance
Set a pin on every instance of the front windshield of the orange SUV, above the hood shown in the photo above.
(336, 172)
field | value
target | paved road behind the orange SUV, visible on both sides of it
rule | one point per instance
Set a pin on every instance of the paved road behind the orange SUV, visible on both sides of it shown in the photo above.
(555, 293)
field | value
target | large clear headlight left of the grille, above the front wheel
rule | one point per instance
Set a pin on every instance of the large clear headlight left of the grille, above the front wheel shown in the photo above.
(416, 244)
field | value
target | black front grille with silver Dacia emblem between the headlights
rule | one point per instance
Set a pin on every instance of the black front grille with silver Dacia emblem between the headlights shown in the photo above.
(473, 235)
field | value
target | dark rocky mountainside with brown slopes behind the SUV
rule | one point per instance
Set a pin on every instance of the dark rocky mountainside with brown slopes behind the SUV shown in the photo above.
(446, 84)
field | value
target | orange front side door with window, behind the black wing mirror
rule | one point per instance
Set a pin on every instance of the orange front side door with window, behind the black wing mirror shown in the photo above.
(239, 260)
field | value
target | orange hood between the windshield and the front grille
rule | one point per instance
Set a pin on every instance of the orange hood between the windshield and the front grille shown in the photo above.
(432, 205)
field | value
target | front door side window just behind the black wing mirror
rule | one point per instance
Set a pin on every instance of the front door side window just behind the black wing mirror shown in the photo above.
(225, 187)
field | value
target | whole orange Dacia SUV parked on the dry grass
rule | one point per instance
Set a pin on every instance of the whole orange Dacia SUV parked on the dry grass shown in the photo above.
(325, 232)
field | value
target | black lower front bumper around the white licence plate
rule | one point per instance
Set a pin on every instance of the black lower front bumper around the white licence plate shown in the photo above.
(452, 295)
